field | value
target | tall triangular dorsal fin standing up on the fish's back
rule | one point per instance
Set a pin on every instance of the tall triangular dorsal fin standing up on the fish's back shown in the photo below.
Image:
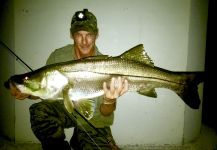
(138, 54)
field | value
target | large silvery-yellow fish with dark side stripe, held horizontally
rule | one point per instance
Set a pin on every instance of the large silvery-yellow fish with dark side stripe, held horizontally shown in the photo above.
(83, 79)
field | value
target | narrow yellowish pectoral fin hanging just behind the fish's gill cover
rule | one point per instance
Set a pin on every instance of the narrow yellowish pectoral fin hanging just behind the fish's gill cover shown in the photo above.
(66, 100)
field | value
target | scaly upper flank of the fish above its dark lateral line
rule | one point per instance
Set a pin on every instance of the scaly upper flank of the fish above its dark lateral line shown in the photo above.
(117, 66)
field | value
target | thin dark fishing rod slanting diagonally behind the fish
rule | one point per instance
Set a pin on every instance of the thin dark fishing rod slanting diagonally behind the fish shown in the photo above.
(90, 124)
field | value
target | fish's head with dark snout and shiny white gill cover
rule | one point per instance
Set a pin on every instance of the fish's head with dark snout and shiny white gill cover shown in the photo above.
(43, 84)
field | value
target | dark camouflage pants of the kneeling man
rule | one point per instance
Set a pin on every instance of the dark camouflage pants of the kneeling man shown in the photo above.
(50, 118)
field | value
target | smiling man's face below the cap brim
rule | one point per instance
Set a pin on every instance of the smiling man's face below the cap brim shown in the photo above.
(84, 42)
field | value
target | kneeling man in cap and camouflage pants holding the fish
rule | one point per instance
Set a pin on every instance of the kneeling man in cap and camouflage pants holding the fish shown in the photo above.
(49, 118)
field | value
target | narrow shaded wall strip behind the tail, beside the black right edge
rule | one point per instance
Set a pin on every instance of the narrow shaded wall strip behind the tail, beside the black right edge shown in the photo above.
(195, 61)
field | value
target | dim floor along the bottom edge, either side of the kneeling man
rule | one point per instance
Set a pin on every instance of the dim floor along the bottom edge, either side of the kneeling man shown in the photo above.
(206, 141)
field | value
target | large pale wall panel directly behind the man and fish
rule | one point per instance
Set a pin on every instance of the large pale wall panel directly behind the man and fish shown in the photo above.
(161, 25)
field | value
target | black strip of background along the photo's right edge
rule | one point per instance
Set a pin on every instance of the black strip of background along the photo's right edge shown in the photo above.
(209, 113)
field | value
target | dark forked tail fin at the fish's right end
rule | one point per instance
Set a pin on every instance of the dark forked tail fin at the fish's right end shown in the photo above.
(189, 90)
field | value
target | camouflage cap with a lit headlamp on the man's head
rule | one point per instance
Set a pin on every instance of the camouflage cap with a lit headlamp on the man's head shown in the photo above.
(84, 20)
